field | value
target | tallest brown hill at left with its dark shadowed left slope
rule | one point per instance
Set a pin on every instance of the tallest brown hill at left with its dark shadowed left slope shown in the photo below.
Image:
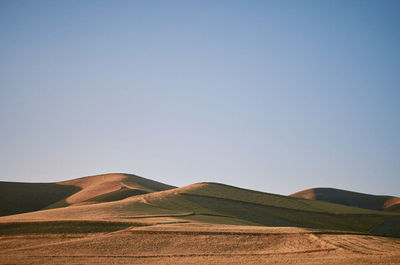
(27, 197)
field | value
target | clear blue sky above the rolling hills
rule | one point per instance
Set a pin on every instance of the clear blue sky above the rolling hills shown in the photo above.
(276, 96)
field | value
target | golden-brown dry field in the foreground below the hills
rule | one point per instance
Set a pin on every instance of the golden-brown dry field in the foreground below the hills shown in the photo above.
(197, 243)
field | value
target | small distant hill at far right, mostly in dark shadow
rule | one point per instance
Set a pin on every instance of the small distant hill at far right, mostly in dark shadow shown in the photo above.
(349, 198)
